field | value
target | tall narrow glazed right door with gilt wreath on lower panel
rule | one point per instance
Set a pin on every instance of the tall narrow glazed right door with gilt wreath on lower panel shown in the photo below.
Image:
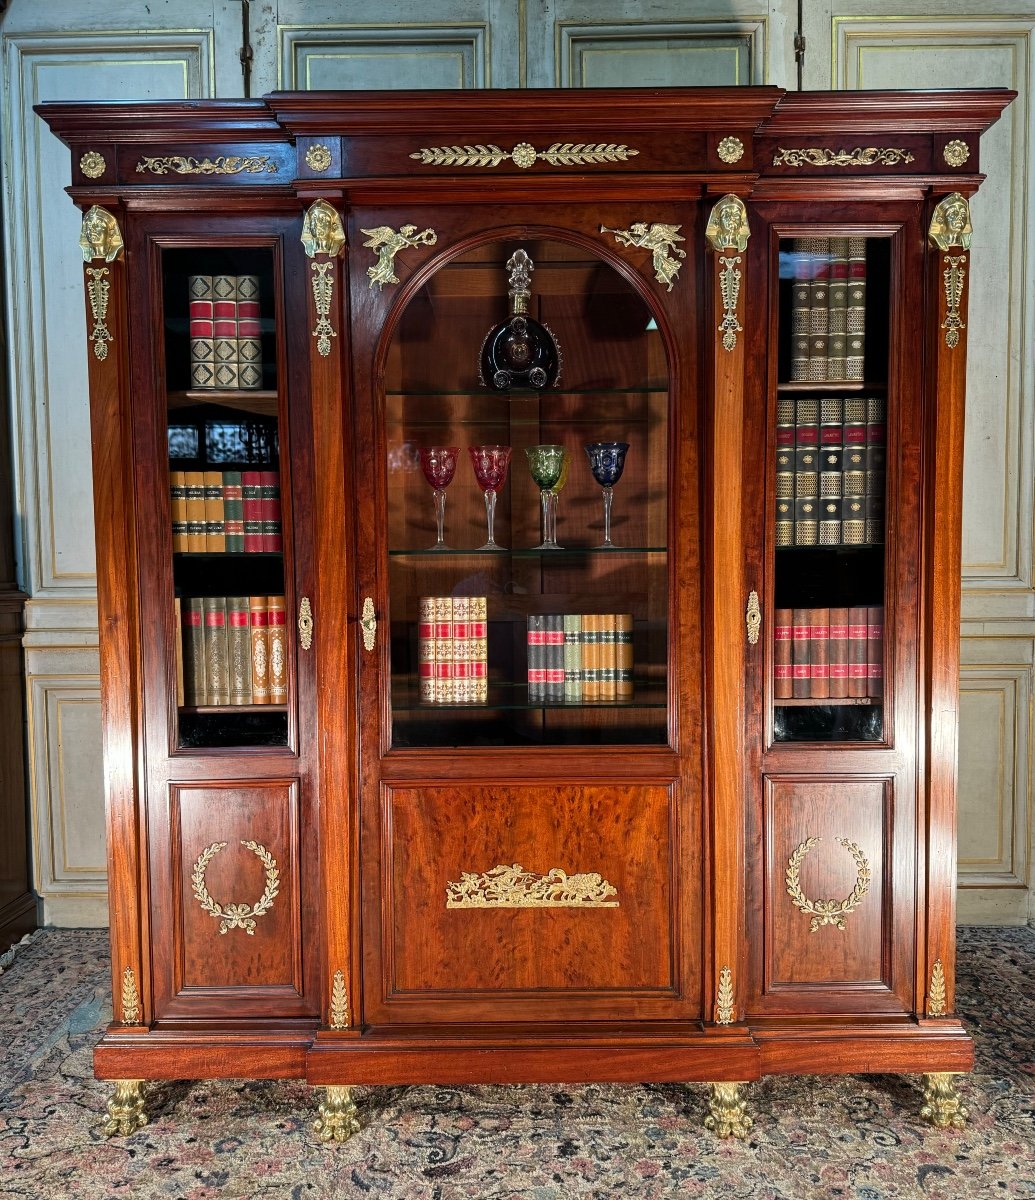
(836, 470)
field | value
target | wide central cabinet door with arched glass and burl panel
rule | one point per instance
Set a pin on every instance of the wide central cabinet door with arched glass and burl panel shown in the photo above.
(528, 509)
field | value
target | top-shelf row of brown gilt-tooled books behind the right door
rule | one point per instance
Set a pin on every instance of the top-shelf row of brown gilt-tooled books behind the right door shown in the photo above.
(828, 309)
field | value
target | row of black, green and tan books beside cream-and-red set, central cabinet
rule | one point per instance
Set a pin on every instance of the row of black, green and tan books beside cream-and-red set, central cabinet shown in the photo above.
(581, 658)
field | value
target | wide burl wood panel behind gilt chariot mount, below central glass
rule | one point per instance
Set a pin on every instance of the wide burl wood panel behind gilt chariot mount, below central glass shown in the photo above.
(439, 833)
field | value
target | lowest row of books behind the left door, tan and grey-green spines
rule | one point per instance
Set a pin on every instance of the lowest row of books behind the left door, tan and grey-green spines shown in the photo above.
(234, 651)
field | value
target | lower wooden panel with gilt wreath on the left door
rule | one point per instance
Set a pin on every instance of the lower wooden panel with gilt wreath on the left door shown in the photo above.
(270, 956)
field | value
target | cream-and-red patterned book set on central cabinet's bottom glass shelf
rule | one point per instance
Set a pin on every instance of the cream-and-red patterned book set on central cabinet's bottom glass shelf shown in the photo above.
(452, 650)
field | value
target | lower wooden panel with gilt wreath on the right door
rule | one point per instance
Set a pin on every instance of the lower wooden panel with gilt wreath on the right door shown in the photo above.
(829, 809)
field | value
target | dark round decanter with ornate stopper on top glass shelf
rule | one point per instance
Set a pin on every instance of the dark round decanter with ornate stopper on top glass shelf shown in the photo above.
(519, 352)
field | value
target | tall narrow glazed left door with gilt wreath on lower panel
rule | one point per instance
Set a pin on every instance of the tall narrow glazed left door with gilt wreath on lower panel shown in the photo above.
(220, 431)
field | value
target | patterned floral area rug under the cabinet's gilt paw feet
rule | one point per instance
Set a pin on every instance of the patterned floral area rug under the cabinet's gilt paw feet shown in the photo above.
(857, 1138)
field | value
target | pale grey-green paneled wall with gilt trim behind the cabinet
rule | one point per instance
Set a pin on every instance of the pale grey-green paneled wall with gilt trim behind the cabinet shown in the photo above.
(82, 50)
